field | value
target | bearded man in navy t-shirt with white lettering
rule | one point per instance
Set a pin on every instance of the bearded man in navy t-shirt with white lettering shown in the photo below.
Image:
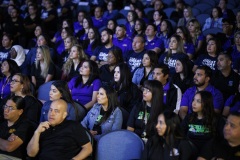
(100, 53)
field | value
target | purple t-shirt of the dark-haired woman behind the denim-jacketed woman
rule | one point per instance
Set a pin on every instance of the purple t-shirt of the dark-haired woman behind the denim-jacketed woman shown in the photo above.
(83, 94)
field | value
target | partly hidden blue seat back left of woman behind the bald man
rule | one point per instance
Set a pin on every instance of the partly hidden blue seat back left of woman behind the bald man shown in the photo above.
(43, 91)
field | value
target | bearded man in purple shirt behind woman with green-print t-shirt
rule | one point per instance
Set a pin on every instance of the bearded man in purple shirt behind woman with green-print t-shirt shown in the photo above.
(201, 82)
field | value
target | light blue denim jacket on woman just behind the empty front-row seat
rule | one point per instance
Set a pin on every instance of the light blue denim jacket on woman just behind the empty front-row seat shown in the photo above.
(114, 122)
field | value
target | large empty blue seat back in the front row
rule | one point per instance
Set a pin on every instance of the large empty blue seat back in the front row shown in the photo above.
(119, 145)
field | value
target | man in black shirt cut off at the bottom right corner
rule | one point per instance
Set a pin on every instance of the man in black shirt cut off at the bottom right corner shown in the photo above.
(227, 148)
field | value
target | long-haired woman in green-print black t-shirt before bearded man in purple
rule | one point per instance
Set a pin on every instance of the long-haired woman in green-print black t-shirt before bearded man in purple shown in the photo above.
(203, 124)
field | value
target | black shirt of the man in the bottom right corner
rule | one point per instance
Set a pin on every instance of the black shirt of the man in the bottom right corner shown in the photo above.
(220, 149)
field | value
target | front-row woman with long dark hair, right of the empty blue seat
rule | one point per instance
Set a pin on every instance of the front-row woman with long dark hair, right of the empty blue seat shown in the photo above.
(168, 141)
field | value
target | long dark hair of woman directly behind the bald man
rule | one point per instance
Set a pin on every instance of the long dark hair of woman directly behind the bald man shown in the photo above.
(62, 87)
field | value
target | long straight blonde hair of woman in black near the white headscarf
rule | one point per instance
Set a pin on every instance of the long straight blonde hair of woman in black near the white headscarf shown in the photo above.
(45, 51)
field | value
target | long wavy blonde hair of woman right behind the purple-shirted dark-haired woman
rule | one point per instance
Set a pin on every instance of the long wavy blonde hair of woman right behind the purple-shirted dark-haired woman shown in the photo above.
(68, 64)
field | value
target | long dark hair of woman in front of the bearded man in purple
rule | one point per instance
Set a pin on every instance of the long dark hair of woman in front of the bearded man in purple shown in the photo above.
(209, 117)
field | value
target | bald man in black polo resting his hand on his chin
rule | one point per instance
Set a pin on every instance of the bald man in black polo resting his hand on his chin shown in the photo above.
(58, 138)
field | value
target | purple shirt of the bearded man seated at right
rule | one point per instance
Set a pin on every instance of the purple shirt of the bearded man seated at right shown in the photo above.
(188, 96)
